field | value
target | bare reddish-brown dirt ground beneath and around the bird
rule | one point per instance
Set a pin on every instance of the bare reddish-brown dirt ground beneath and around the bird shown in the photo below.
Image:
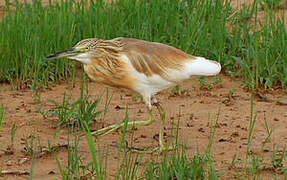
(196, 108)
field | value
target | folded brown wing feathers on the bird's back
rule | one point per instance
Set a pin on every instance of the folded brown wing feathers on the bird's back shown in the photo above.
(152, 58)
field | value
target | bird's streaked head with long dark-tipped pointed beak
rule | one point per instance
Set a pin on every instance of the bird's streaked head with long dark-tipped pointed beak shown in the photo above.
(81, 51)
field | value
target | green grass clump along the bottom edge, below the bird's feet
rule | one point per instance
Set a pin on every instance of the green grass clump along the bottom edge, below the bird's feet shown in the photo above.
(172, 165)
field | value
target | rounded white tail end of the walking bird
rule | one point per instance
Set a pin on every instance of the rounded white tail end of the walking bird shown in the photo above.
(203, 67)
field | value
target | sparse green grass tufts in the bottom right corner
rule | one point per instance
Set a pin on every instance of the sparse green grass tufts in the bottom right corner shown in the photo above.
(256, 165)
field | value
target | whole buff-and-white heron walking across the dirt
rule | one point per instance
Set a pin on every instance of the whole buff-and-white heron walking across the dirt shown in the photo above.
(138, 65)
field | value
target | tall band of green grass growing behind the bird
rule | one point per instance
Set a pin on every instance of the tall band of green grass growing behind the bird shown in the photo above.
(199, 27)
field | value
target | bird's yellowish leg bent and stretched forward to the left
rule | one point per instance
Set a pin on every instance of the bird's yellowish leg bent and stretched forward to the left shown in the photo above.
(114, 127)
